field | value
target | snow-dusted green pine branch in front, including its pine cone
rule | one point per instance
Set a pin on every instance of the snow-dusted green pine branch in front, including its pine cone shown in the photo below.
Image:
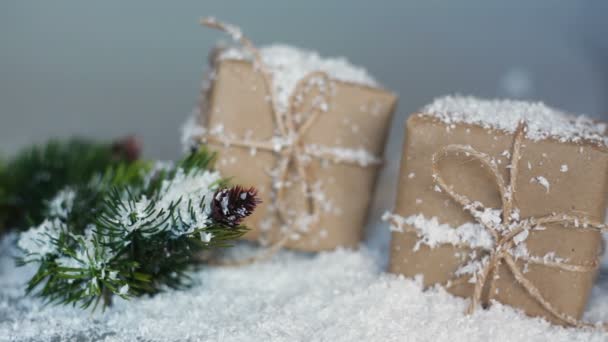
(132, 230)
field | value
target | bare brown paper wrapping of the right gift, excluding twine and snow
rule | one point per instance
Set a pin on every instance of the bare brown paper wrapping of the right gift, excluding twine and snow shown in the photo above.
(582, 189)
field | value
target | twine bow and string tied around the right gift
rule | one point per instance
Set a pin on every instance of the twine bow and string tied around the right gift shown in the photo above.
(508, 229)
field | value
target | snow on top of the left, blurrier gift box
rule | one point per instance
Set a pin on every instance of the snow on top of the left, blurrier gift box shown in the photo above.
(288, 65)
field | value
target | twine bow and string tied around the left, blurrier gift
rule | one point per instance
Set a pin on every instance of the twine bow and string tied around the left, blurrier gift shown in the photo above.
(289, 145)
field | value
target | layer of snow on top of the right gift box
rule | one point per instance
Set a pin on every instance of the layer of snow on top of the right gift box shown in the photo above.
(543, 122)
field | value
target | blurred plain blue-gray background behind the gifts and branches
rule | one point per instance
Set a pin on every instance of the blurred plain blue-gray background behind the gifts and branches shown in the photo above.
(109, 68)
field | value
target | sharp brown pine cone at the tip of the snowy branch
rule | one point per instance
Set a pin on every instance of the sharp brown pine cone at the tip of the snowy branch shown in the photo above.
(231, 205)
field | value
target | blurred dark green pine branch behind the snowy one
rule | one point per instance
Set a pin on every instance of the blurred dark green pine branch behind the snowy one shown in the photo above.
(36, 174)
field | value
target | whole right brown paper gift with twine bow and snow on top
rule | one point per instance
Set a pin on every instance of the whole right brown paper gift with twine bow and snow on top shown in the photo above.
(502, 201)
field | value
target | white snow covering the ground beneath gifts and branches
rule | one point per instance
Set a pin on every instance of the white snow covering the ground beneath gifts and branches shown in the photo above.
(334, 296)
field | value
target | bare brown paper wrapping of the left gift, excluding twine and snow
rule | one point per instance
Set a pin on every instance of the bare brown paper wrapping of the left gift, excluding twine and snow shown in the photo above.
(358, 117)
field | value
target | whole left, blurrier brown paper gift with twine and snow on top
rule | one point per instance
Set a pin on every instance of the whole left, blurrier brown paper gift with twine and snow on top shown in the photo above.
(310, 130)
